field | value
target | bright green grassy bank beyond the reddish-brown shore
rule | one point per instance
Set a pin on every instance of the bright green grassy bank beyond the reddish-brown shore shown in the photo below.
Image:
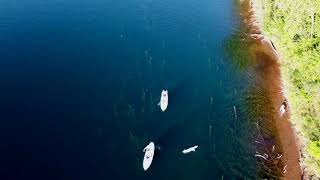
(294, 27)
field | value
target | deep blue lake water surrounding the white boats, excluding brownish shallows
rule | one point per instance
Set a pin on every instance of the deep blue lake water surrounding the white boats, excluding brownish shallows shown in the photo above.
(81, 80)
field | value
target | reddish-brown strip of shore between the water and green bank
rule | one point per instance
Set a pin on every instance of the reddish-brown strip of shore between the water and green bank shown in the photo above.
(266, 60)
